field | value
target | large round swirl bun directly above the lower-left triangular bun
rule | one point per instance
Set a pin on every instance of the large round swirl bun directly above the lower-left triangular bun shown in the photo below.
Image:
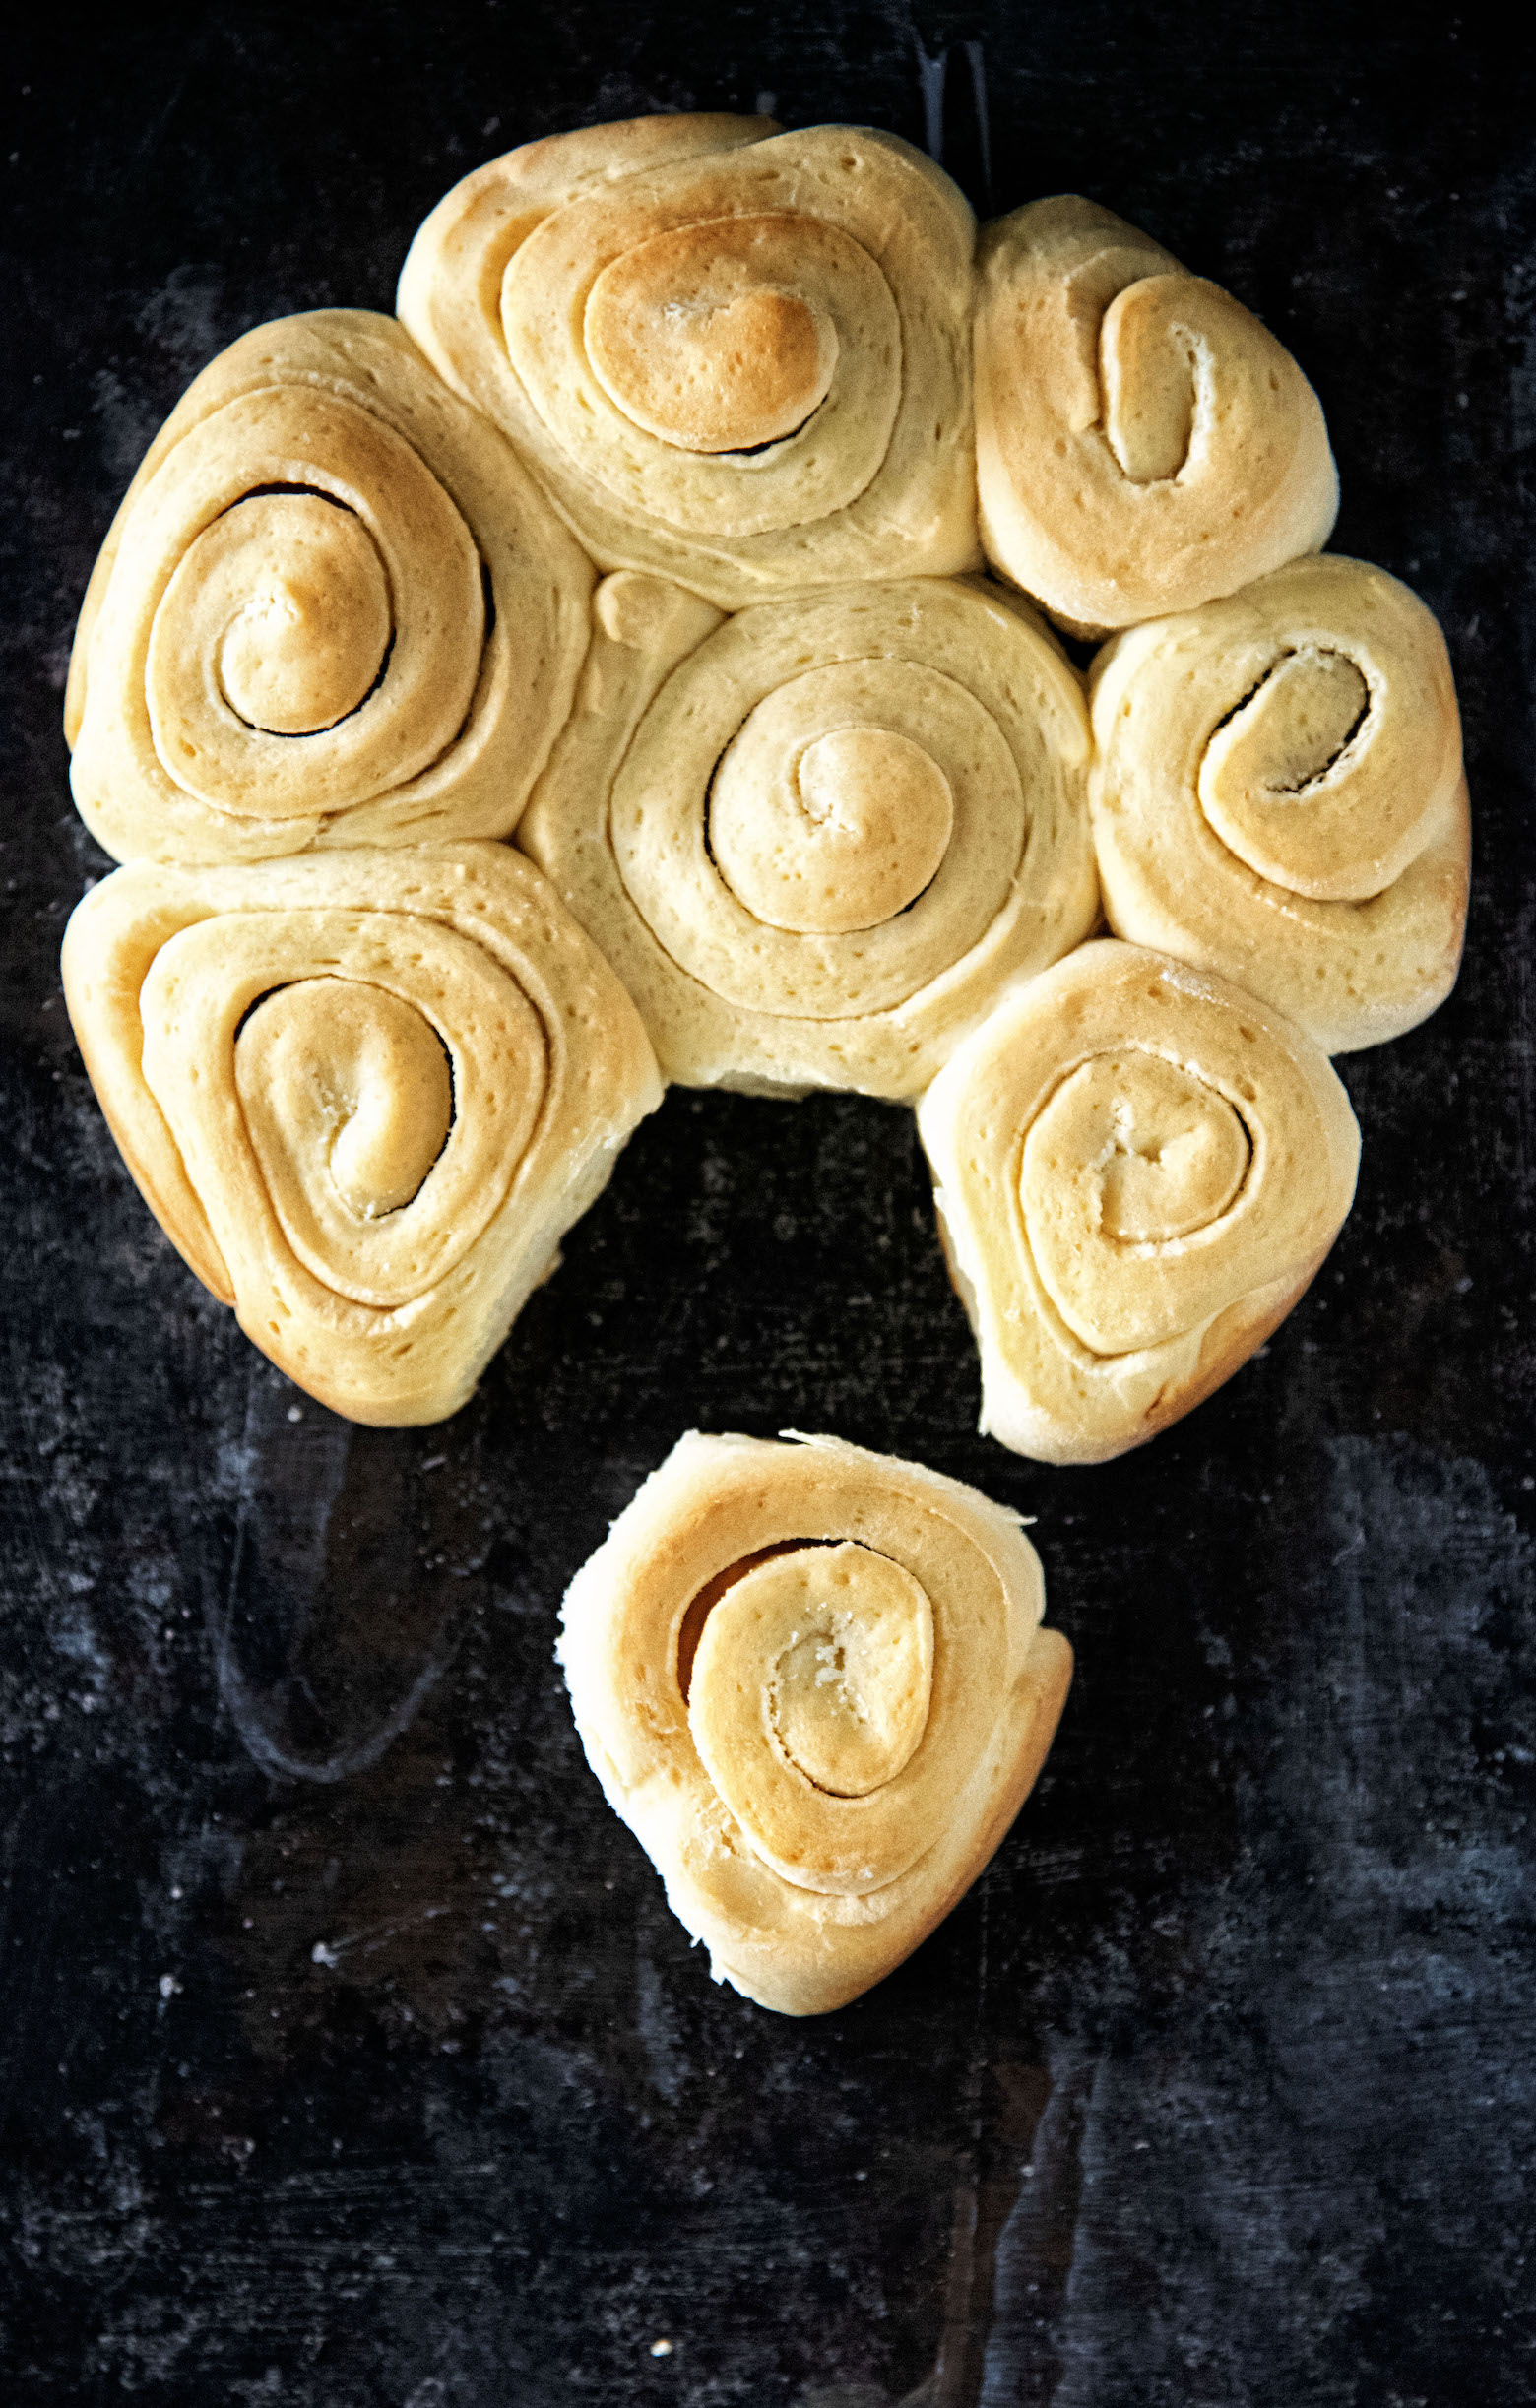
(333, 610)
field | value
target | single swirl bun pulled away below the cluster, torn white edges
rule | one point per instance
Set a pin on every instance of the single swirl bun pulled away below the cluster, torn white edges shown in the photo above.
(817, 1689)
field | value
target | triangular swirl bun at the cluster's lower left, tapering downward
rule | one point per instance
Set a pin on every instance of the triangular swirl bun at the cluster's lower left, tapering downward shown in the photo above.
(365, 1094)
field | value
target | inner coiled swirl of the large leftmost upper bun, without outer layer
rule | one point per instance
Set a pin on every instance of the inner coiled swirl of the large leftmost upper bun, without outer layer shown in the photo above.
(324, 589)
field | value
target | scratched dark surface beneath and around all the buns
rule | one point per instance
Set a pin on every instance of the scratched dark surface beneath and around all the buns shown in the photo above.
(348, 2050)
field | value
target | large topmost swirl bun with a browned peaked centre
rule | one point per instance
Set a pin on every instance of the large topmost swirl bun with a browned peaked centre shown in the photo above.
(733, 355)
